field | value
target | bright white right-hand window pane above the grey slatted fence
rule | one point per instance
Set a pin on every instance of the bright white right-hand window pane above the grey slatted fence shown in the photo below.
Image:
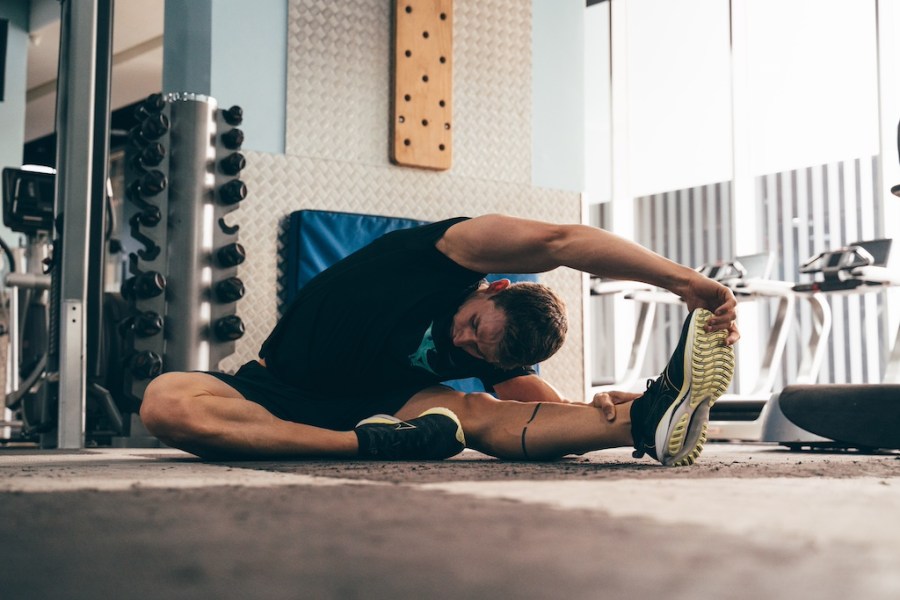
(812, 82)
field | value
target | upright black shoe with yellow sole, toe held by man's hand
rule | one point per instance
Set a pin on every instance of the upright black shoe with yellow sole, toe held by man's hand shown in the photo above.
(669, 421)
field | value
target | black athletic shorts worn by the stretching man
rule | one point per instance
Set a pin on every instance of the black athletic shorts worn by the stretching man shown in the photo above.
(259, 385)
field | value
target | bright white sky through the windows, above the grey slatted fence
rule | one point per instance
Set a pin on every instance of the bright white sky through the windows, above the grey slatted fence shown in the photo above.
(806, 72)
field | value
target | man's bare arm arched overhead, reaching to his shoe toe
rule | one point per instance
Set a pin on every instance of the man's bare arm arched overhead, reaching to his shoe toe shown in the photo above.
(503, 244)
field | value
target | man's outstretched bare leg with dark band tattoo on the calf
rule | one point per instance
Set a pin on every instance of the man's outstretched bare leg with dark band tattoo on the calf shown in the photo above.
(531, 430)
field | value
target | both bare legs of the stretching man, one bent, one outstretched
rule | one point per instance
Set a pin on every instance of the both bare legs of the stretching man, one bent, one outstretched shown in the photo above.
(203, 415)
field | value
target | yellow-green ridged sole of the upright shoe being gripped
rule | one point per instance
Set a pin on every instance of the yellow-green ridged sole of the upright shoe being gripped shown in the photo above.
(709, 367)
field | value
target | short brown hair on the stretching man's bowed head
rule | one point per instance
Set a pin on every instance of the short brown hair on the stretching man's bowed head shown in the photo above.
(536, 324)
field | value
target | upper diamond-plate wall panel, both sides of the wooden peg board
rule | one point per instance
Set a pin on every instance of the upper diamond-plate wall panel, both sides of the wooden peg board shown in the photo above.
(338, 88)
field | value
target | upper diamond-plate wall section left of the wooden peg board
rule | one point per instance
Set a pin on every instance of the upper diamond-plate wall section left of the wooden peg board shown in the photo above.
(338, 84)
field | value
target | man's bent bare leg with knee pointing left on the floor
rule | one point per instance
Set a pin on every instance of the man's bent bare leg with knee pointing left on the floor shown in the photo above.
(203, 415)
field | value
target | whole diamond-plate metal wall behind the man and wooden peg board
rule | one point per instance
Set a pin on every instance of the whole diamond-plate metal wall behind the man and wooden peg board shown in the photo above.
(338, 141)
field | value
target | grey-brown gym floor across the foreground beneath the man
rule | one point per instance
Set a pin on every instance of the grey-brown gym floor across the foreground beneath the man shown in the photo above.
(746, 522)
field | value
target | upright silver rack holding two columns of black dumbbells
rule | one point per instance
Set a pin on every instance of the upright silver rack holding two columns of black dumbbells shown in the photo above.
(182, 174)
